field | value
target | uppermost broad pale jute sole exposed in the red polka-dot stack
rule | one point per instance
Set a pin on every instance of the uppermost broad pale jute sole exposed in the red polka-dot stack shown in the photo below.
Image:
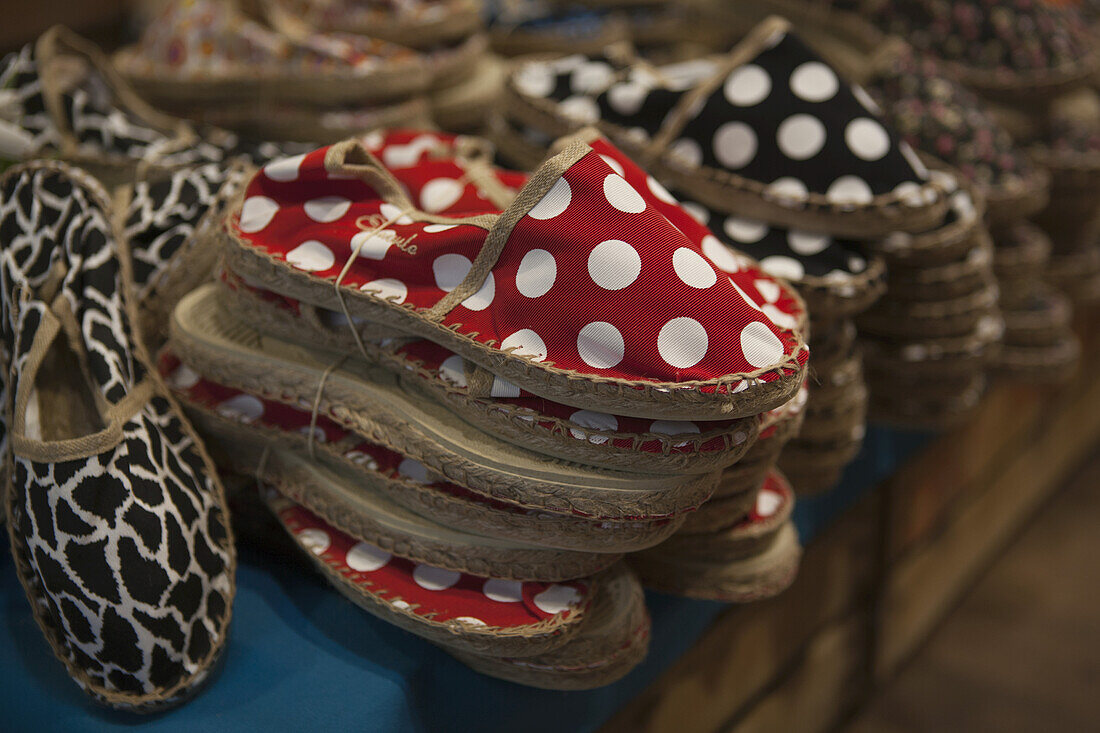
(373, 404)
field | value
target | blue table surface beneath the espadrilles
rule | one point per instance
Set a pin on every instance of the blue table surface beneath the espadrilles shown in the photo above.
(302, 658)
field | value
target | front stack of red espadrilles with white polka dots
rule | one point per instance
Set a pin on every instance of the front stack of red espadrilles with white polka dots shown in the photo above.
(467, 450)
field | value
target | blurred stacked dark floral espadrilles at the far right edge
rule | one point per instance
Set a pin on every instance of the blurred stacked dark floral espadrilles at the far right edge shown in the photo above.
(1051, 67)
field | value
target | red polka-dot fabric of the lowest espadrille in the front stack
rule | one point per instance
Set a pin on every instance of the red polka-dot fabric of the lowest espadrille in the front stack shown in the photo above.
(428, 592)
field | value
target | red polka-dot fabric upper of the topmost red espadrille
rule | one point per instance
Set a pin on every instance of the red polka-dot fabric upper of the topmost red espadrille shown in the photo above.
(595, 279)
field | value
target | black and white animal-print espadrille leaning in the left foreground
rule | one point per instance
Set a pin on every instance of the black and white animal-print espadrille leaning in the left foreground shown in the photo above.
(117, 521)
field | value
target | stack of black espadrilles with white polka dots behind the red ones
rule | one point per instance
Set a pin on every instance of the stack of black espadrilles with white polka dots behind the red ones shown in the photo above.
(785, 161)
